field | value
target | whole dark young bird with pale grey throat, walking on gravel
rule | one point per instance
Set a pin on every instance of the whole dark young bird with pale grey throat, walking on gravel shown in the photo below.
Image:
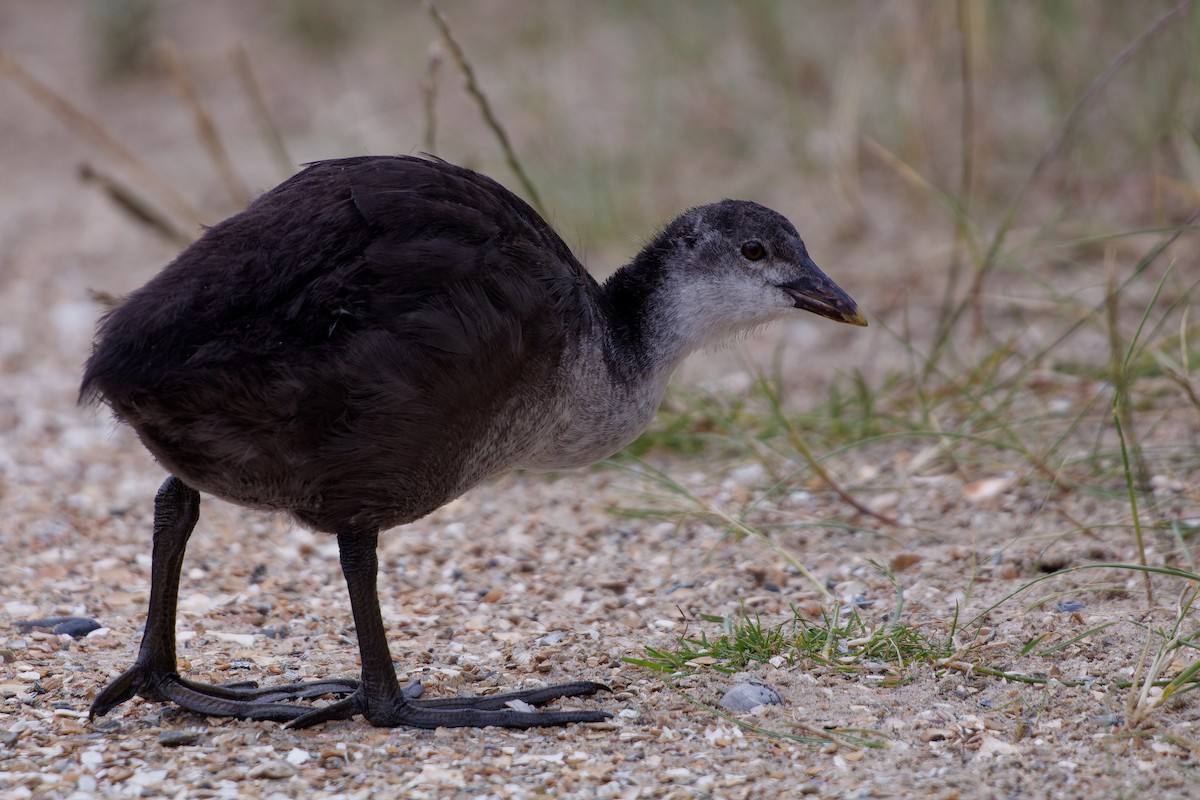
(376, 336)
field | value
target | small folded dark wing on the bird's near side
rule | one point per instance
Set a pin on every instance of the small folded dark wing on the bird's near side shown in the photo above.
(465, 282)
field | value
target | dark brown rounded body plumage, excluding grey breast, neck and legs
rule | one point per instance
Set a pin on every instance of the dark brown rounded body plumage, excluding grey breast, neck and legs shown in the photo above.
(315, 353)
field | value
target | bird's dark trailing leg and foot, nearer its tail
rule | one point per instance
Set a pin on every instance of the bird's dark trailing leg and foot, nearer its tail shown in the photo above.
(153, 675)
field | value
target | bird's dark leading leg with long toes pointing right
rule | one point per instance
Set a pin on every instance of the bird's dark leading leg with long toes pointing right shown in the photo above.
(379, 696)
